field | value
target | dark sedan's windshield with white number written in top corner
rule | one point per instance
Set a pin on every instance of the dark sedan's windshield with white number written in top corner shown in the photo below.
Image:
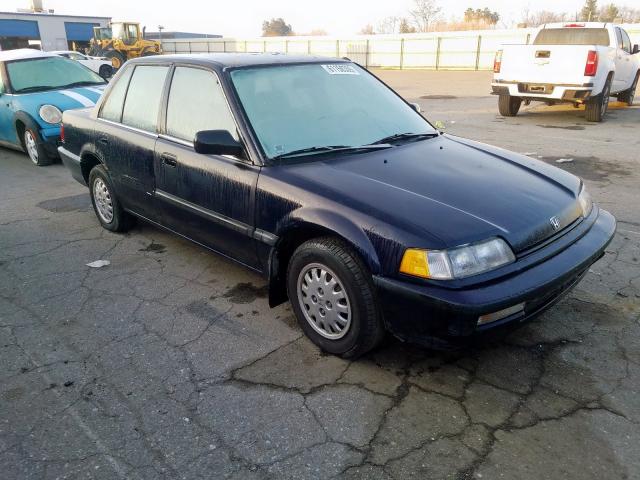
(310, 106)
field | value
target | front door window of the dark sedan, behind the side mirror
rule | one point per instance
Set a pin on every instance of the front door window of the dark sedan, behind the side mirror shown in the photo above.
(197, 102)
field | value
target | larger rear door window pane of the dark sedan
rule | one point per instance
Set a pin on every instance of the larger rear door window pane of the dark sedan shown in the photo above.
(142, 102)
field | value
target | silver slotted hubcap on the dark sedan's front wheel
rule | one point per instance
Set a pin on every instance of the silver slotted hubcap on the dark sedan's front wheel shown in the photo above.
(324, 301)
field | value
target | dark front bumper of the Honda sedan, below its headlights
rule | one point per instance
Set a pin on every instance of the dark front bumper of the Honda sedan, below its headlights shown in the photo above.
(437, 317)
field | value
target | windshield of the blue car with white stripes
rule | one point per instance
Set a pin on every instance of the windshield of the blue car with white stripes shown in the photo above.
(49, 73)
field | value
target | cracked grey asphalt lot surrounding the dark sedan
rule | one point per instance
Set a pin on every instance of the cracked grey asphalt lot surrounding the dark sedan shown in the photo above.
(169, 364)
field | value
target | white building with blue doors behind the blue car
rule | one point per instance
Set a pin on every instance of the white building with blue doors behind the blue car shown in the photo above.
(47, 31)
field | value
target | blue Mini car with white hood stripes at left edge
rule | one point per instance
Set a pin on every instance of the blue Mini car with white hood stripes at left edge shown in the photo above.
(35, 88)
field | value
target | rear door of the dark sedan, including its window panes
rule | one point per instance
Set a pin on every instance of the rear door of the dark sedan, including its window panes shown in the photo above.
(127, 134)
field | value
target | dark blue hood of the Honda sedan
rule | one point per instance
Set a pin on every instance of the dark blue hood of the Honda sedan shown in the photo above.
(452, 190)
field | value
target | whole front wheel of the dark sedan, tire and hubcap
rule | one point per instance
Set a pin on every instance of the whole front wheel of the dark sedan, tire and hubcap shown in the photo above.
(333, 298)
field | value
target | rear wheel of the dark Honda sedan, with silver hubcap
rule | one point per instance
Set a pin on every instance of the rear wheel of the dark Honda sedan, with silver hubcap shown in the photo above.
(105, 203)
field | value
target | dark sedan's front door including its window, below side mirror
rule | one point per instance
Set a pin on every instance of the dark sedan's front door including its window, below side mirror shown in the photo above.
(209, 198)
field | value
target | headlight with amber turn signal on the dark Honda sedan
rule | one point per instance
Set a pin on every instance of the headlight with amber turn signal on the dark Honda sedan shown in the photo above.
(457, 262)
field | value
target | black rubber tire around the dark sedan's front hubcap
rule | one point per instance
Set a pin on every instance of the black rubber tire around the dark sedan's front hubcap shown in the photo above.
(366, 328)
